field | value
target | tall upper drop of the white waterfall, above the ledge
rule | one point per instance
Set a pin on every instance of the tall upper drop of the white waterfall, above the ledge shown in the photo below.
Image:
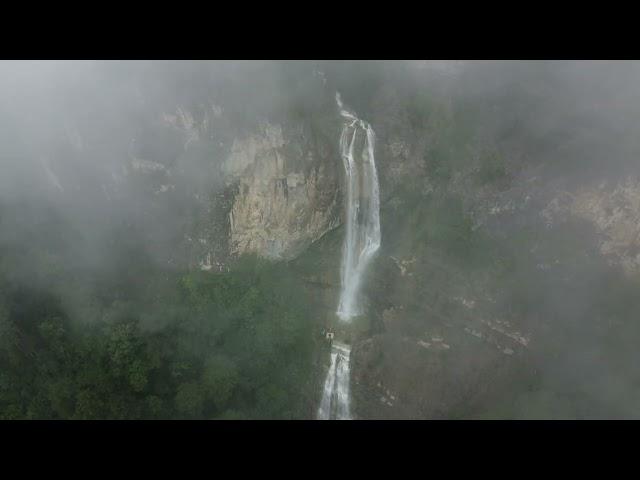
(363, 209)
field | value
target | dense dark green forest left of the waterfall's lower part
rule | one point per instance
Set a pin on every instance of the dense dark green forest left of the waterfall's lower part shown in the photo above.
(177, 345)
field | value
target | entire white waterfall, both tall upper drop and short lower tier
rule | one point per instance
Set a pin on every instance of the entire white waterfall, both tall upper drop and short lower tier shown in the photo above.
(362, 240)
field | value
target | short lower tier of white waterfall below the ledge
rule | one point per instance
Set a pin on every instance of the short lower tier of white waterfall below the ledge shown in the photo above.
(335, 395)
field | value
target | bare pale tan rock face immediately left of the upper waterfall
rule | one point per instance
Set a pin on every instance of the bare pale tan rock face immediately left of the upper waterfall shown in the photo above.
(287, 191)
